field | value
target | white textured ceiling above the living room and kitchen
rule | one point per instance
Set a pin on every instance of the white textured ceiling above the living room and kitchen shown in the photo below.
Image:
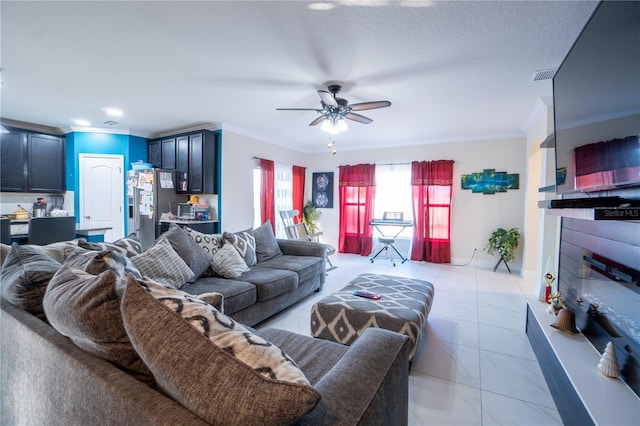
(453, 70)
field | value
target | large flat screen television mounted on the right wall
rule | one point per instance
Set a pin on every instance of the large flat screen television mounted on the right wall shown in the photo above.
(596, 98)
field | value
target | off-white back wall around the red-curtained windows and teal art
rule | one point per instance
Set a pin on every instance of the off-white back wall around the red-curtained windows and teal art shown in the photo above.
(475, 216)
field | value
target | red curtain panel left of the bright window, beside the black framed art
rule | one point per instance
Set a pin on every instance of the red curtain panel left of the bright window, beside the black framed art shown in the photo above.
(357, 191)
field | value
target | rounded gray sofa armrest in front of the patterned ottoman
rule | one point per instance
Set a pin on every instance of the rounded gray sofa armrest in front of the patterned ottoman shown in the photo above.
(368, 385)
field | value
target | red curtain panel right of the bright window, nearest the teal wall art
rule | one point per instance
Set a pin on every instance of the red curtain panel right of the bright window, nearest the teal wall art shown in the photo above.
(431, 184)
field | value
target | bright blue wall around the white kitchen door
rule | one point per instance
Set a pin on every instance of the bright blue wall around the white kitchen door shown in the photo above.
(132, 148)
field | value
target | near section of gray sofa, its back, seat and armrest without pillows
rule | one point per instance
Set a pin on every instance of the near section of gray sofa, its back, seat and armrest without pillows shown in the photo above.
(47, 380)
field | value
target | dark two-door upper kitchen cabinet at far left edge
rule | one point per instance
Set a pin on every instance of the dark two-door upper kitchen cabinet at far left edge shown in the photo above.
(32, 162)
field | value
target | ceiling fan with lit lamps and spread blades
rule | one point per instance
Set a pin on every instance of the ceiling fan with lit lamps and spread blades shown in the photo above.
(335, 110)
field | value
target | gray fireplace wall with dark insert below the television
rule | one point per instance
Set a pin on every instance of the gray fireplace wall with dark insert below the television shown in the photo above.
(599, 277)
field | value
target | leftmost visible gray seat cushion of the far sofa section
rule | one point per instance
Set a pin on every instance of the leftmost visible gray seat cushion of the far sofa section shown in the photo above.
(237, 294)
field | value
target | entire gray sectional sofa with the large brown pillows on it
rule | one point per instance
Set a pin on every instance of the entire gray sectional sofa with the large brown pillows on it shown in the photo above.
(85, 340)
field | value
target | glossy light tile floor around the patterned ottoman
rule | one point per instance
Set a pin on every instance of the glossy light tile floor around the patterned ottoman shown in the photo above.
(474, 364)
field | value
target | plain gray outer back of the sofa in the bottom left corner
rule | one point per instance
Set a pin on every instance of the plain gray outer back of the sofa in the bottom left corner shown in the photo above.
(46, 379)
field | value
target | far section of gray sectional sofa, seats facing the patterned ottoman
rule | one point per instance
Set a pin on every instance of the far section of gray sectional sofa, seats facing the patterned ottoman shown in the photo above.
(282, 272)
